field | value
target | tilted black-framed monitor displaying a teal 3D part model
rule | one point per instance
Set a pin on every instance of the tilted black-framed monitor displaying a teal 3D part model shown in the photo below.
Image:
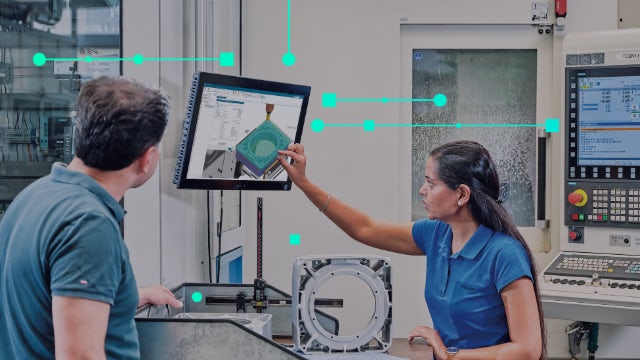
(234, 129)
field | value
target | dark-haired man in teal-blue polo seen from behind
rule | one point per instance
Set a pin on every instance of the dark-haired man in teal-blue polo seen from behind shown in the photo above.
(67, 289)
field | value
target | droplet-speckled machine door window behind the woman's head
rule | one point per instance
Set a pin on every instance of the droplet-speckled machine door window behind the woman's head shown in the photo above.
(491, 97)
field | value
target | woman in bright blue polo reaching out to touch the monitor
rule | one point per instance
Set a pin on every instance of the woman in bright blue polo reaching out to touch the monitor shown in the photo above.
(480, 286)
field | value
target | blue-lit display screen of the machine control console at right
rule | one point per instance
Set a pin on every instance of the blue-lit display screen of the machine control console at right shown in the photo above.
(604, 119)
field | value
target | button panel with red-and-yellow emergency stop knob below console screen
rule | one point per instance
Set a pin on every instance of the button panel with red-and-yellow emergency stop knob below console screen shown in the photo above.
(602, 204)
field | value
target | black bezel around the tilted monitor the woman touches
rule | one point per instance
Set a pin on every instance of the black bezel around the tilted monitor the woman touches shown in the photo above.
(246, 83)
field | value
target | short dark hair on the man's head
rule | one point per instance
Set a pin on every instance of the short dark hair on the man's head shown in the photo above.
(118, 120)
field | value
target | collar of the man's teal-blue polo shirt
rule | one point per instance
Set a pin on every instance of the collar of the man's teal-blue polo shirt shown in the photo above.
(60, 173)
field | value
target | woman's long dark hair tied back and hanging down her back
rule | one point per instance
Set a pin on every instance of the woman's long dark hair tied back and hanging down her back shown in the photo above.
(469, 163)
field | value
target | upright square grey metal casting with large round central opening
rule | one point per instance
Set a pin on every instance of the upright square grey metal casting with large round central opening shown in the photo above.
(311, 273)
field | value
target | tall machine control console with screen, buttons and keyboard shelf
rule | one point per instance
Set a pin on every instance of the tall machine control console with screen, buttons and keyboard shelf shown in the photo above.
(596, 275)
